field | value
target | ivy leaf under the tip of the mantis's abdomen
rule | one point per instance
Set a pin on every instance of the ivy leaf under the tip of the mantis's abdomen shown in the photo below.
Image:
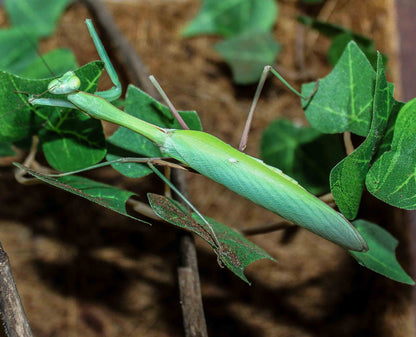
(381, 256)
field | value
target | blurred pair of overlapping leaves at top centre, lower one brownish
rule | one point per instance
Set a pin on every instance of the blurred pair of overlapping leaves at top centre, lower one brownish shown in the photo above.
(246, 25)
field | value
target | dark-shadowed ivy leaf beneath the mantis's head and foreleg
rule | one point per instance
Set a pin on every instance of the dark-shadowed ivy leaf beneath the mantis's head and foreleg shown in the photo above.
(66, 144)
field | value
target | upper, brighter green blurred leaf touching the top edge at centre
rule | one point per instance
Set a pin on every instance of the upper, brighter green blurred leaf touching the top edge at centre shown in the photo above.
(233, 17)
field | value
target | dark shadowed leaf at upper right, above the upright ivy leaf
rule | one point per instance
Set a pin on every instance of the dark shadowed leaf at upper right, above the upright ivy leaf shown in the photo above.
(341, 36)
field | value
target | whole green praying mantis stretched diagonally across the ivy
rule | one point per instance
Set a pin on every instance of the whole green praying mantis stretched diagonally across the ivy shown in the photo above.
(250, 177)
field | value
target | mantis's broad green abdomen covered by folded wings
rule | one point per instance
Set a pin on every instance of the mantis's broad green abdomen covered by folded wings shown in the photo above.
(261, 184)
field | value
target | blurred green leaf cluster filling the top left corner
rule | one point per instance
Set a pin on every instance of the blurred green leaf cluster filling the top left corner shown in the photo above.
(32, 20)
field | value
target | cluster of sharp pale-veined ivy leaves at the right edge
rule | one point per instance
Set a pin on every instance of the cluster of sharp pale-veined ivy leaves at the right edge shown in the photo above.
(355, 98)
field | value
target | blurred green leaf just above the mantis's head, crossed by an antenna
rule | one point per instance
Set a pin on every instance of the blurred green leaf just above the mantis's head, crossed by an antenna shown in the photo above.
(59, 61)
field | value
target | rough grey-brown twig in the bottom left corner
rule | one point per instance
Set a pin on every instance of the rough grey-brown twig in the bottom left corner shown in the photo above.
(12, 312)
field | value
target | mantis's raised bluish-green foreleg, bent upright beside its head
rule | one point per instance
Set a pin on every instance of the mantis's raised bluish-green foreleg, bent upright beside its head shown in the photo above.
(115, 92)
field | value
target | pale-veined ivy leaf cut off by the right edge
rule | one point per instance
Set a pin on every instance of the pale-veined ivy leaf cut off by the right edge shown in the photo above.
(392, 177)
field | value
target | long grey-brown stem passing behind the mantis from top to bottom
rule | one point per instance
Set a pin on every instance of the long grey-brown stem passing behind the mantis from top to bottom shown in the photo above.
(189, 284)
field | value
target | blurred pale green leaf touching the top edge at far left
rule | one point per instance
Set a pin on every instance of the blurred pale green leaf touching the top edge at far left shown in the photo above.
(35, 16)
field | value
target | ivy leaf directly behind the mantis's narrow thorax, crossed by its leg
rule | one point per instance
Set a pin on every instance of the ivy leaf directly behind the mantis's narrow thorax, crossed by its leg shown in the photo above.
(127, 143)
